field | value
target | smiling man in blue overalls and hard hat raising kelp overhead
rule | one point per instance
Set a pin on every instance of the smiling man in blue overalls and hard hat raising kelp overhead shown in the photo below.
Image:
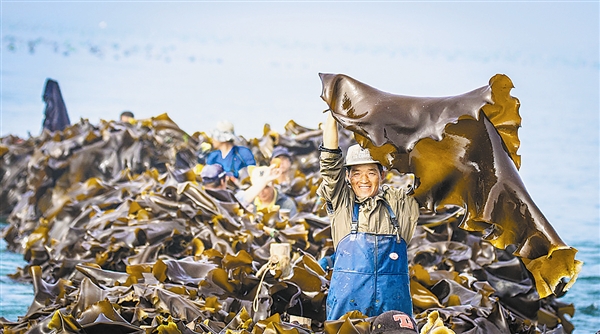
(370, 226)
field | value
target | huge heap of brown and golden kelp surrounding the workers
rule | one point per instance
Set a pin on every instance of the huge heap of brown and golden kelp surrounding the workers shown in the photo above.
(120, 236)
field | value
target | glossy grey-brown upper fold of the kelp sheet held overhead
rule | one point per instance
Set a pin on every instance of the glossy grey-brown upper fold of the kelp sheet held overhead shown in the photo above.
(401, 120)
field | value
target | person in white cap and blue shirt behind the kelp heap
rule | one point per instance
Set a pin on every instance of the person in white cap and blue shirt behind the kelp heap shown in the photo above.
(232, 157)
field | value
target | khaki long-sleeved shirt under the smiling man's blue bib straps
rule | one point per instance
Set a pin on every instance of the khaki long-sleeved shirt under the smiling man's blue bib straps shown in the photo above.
(373, 216)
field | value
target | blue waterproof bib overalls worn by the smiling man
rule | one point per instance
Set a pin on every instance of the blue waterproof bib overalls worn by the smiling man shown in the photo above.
(370, 273)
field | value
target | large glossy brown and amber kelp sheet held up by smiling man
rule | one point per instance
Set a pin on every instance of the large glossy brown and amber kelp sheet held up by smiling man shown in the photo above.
(463, 150)
